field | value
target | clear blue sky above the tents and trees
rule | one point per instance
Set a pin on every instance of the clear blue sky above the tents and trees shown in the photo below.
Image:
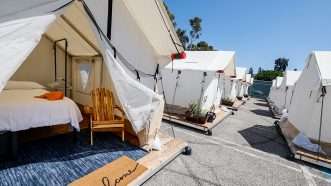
(261, 30)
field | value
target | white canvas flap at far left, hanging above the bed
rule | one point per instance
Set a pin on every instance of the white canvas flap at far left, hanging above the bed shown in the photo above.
(18, 38)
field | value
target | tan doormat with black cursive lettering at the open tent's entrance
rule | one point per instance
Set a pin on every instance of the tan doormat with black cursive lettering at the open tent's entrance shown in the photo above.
(117, 173)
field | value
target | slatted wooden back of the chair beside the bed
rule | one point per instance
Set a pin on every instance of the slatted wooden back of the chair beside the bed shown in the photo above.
(103, 108)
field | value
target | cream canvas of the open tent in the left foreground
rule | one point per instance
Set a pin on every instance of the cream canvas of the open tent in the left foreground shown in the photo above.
(30, 30)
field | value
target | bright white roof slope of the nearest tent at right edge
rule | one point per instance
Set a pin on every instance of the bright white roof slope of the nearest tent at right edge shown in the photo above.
(323, 59)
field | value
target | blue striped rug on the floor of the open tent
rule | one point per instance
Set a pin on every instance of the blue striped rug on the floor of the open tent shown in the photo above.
(60, 160)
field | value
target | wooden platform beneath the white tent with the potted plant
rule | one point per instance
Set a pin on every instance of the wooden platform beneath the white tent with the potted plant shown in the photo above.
(207, 127)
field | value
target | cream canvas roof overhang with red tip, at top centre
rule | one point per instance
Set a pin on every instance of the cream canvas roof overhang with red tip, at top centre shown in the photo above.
(154, 21)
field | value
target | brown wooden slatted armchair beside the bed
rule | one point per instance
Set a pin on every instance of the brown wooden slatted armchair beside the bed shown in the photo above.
(102, 113)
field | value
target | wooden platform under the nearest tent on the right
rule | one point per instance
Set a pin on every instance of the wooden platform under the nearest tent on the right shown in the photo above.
(289, 131)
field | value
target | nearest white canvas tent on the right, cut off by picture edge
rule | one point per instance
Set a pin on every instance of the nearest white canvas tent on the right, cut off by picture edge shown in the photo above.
(311, 101)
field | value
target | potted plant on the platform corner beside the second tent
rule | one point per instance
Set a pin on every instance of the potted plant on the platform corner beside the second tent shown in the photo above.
(196, 114)
